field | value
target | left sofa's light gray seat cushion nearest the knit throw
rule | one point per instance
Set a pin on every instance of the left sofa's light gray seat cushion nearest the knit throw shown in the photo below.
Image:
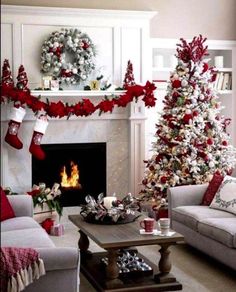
(31, 237)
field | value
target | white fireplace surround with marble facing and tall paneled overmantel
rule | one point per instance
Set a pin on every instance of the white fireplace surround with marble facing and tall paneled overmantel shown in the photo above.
(119, 36)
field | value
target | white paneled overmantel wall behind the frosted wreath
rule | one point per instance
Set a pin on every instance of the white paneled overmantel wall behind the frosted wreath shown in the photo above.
(24, 31)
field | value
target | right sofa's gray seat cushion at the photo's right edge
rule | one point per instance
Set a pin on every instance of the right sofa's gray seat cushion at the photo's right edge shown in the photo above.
(223, 231)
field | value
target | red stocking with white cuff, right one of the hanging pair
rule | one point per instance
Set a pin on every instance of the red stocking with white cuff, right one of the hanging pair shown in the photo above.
(39, 130)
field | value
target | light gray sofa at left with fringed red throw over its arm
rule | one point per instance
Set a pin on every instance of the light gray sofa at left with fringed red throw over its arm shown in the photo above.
(61, 264)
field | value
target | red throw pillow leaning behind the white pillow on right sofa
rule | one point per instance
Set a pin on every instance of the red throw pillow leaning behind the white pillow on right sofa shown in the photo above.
(212, 188)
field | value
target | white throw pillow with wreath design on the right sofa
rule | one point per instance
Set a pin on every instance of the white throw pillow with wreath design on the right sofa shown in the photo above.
(225, 198)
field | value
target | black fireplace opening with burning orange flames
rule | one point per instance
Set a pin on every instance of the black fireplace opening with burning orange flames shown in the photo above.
(80, 169)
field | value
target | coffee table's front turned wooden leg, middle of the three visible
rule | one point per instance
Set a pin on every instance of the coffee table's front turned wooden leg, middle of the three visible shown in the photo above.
(112, 270)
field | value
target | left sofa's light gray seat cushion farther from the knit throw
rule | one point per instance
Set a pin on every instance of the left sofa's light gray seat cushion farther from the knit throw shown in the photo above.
(19, 223)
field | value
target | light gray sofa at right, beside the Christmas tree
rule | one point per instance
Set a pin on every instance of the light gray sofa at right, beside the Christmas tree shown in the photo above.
(209, 230)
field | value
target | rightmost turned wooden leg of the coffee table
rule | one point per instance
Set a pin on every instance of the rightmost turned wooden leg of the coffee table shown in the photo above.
(164, 265)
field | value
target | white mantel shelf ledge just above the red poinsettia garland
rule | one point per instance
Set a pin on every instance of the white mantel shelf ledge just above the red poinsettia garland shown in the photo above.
(76, 93)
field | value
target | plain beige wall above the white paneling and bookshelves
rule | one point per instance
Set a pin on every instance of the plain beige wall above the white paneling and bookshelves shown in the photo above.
(215, 19)
